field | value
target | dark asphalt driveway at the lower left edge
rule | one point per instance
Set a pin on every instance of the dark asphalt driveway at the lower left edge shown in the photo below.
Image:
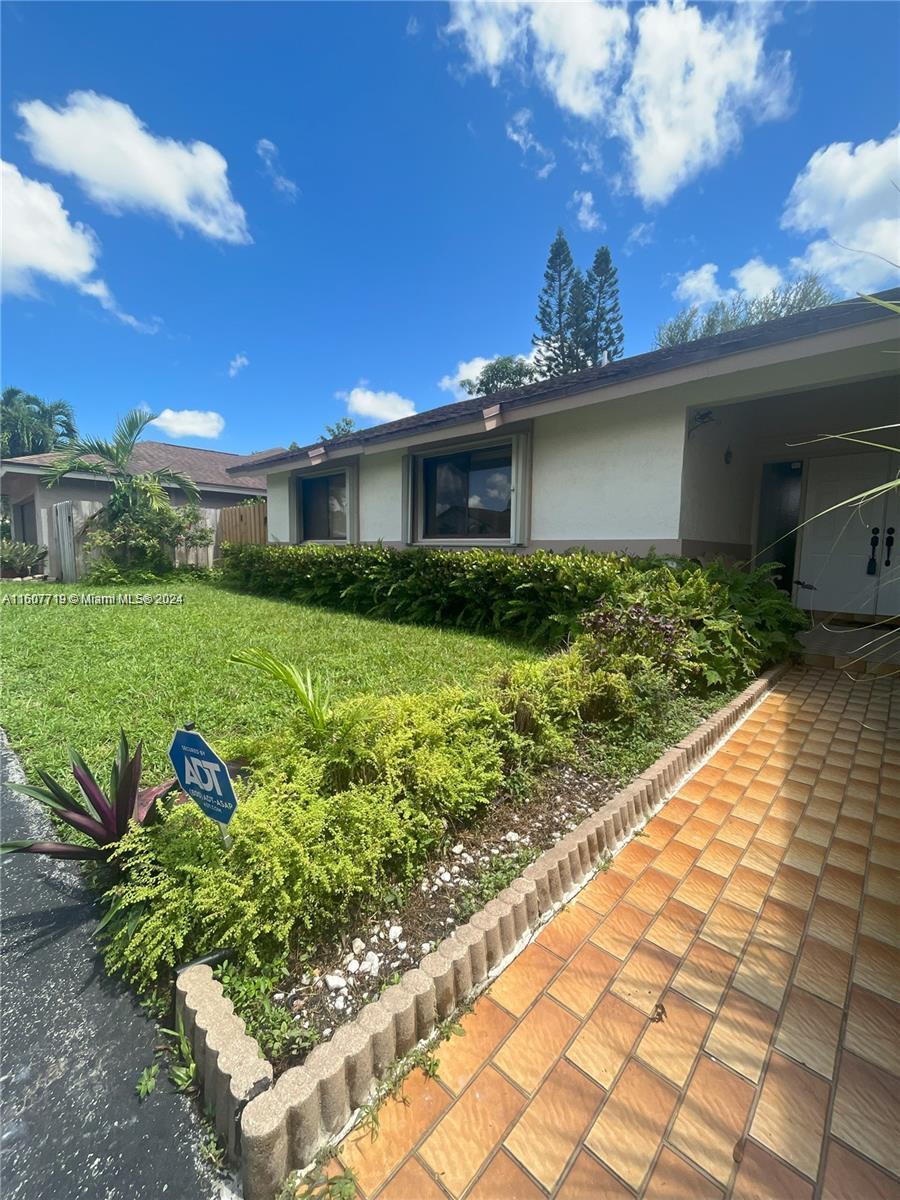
(73, 1046)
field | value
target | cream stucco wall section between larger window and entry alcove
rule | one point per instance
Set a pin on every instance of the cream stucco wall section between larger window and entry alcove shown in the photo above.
(609, 473)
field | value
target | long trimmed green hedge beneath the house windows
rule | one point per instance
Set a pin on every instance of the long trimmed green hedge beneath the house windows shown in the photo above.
(538, 597)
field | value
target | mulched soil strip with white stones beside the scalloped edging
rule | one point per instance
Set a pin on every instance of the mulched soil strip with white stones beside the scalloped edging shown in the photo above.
(329, 989)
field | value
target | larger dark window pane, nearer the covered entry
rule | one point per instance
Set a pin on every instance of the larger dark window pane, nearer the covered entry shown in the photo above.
(469, 495)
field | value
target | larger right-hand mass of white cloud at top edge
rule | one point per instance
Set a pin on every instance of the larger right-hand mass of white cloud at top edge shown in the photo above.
(693, 83)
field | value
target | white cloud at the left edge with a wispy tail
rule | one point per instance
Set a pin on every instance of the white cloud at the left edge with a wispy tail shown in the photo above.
(40, 239)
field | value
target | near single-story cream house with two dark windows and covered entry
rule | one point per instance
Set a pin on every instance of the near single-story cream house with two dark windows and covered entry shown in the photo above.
(710, 449)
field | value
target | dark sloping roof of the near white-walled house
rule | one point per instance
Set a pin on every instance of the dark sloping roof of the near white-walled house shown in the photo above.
(787, 329)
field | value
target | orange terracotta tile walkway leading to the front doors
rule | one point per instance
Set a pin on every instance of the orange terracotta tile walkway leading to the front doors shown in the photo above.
(717, 1016)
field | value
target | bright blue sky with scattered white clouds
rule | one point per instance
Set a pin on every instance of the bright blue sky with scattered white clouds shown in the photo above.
(269, 213)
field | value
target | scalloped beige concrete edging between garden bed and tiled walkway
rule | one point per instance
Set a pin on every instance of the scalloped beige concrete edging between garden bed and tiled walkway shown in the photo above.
(277, 1129)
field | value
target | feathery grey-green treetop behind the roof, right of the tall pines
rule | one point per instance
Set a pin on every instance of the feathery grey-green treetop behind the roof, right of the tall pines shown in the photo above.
(736, 313)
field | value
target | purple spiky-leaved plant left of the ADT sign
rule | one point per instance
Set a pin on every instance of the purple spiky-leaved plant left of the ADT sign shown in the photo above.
(103, 817)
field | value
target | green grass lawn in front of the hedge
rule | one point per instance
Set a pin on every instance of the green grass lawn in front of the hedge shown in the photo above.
(75, 675)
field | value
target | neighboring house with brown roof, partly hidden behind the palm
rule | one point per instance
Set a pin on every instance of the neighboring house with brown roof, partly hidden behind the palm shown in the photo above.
(32, 501)
